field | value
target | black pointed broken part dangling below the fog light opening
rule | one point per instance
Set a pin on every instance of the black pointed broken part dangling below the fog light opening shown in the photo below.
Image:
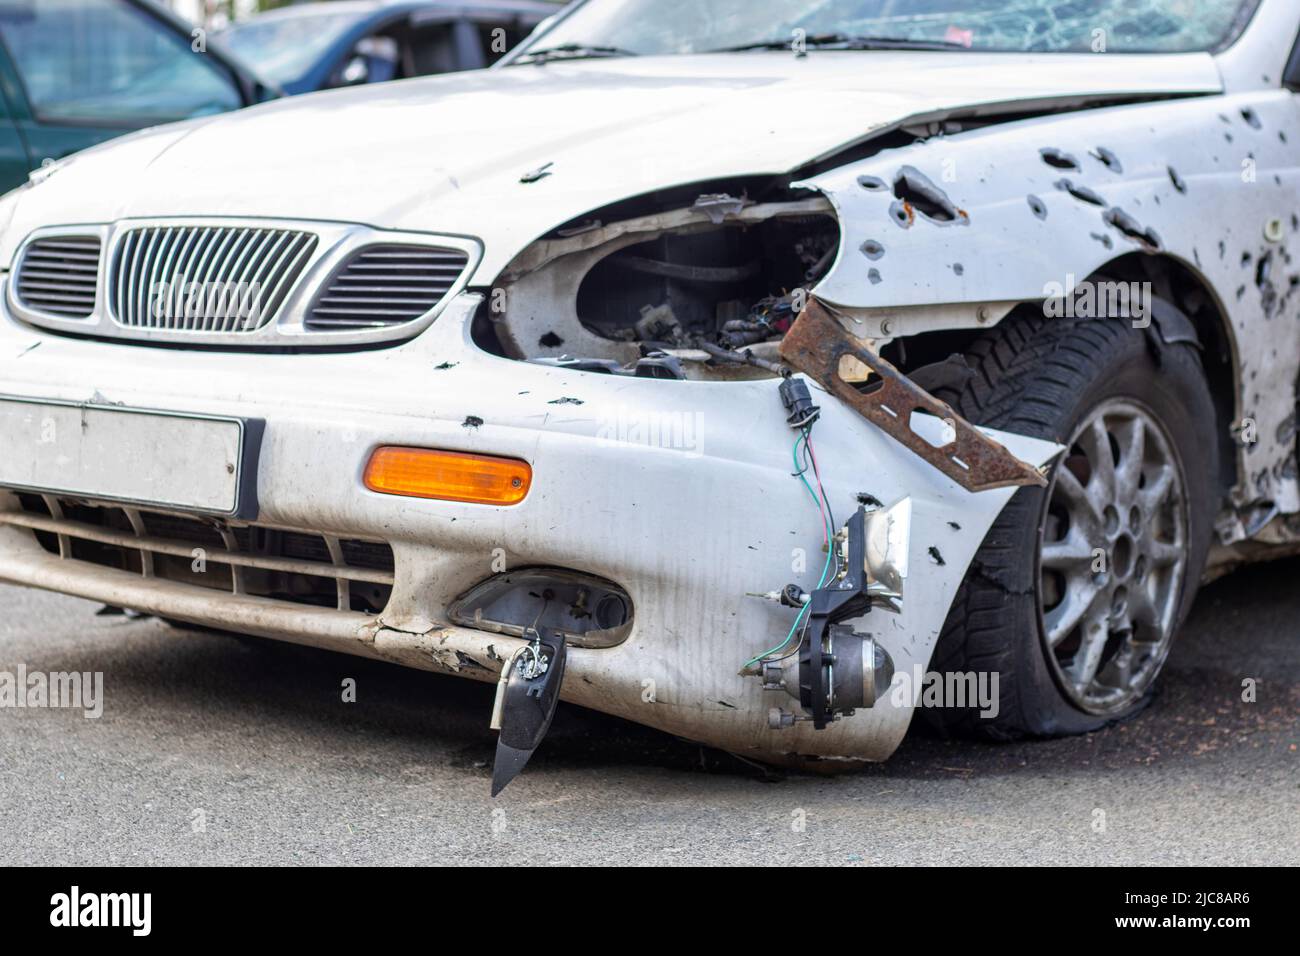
(527, 697)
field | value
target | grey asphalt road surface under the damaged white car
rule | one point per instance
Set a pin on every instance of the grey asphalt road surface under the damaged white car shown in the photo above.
(214, 750)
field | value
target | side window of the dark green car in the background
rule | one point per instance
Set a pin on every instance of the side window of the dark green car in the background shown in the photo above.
(109, 62)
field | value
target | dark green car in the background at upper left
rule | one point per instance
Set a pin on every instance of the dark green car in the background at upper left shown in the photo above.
(75, 73)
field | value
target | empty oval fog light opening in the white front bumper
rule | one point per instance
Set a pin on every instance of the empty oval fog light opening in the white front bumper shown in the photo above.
(587, 611)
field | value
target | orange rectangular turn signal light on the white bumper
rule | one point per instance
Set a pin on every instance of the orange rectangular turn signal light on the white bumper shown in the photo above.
(448, 477)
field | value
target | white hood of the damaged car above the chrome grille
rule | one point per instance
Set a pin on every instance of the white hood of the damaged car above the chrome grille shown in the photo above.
(448, 154)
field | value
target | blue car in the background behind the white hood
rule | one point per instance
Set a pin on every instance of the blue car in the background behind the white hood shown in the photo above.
(320, 46)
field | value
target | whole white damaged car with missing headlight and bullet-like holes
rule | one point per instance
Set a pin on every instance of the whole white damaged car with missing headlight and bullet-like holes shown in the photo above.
(731, 366)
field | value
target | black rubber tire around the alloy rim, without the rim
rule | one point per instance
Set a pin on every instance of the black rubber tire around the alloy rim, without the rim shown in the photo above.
(1043, 378)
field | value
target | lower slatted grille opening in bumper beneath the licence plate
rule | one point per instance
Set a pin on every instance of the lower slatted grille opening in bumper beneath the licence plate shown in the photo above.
(263, 561)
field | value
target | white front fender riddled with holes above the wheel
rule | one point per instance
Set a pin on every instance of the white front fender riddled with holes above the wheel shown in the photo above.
(1054, 201)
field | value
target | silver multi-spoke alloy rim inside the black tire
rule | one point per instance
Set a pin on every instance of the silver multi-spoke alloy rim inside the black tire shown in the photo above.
(1112, 559)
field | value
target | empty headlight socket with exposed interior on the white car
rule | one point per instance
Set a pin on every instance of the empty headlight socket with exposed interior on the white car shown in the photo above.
(713, 284)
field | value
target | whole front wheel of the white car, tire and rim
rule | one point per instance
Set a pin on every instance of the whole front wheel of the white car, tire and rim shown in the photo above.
(1078, 591)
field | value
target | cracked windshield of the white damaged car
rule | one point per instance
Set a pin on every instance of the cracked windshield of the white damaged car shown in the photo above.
(1123, 27)
